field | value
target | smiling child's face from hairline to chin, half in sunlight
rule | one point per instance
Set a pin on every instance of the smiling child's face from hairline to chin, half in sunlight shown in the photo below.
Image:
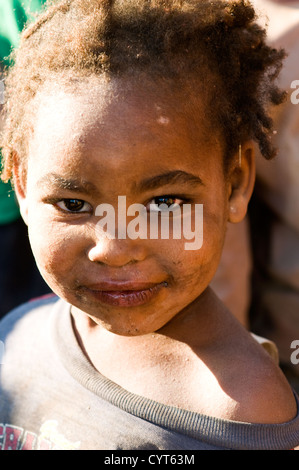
(107, 141)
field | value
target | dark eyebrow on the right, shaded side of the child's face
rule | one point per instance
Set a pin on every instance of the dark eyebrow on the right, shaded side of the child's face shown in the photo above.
(172, 177)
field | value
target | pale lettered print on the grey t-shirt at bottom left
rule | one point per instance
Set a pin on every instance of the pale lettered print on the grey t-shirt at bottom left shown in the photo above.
(17, 438)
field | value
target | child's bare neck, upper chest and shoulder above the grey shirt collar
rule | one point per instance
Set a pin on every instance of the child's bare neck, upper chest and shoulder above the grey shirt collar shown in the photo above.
(232, 378)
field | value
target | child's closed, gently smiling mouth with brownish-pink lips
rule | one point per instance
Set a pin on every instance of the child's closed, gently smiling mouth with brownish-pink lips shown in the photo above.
(124, 294)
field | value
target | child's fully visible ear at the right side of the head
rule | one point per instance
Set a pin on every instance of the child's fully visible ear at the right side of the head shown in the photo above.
(242, 179)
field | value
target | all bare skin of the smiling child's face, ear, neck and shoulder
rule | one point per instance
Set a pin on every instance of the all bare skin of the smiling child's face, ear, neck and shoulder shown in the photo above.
(181, 346)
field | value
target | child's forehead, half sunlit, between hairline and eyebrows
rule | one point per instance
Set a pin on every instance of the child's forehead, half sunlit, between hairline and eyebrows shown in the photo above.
(120, 112)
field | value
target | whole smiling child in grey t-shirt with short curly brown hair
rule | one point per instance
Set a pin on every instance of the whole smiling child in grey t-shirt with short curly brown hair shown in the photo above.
(155, 103)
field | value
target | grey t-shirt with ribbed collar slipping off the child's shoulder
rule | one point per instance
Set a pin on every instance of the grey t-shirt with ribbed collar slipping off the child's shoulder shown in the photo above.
(51, 397)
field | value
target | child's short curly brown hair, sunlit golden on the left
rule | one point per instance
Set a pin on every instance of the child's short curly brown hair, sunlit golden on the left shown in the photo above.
(172, 39)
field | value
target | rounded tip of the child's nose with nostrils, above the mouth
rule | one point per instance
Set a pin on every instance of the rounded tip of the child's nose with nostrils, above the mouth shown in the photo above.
(117, 252)
